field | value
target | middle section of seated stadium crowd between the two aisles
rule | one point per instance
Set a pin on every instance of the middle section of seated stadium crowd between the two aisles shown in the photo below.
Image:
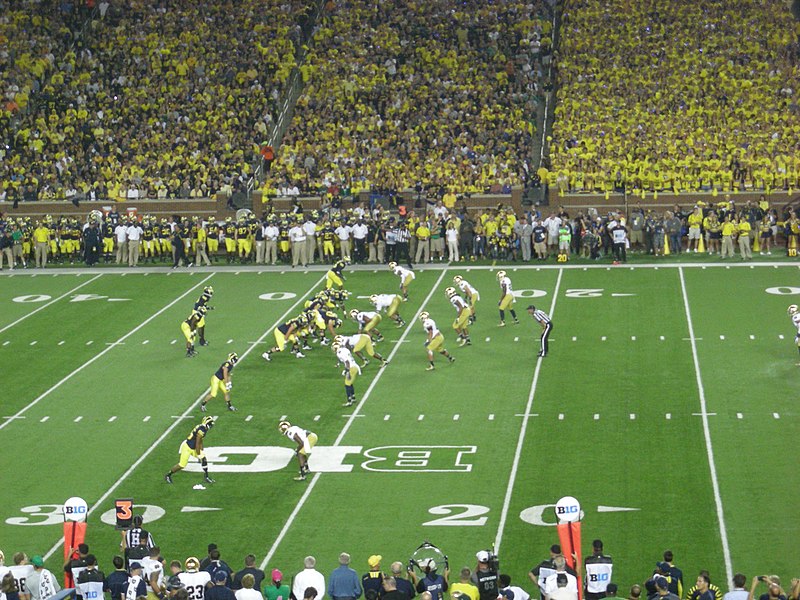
(400, 94)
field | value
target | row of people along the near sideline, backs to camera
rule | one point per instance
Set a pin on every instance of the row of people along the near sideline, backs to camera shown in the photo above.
(144, 573)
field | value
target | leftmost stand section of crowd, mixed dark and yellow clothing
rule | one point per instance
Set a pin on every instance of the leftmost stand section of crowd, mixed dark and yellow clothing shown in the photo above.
(155, 99)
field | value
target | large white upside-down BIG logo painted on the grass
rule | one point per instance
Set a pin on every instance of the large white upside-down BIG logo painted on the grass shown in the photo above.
(340, 459)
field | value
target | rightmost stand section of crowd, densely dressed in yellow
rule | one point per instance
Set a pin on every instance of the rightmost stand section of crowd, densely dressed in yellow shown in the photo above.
(679, 96)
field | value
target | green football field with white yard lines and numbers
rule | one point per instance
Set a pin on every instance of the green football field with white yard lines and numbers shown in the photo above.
(667, 406)
